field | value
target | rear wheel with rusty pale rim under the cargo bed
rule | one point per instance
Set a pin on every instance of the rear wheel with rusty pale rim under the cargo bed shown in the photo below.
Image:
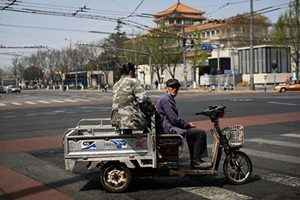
(115, 177)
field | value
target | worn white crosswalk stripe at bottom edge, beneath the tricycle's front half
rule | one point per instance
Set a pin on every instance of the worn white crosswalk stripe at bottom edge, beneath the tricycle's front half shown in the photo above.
(215, 193)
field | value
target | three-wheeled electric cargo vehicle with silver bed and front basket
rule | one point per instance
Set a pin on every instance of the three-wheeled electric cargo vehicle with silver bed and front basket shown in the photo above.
(120, 156)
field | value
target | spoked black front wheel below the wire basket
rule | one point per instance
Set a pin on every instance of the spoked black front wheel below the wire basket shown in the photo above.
(237, 167)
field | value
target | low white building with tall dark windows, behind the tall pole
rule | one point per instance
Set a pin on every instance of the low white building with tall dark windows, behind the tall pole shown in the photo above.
(234, 65)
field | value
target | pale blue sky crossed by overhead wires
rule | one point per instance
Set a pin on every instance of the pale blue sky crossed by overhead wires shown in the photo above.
(26, 29)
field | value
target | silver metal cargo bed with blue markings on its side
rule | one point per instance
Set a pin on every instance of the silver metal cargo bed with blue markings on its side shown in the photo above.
(95, 140)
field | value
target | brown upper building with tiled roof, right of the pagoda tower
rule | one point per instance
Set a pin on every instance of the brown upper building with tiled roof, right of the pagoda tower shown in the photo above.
(231, 32)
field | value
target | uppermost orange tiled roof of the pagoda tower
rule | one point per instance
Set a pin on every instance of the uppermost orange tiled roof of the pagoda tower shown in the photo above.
(180, 8)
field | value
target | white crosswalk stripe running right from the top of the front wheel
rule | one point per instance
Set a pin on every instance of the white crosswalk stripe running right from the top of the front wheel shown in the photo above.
(273, 156)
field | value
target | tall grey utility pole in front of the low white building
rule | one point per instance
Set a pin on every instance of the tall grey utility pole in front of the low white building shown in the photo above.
(252, 86)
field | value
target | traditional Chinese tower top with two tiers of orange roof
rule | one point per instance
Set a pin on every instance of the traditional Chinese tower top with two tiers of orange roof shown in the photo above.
(178, 16)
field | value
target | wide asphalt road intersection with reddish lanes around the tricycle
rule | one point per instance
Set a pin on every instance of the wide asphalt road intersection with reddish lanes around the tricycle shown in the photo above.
(272, 142)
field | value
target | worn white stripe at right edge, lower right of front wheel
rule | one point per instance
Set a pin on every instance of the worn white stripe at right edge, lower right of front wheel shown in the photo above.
(282, 179)
